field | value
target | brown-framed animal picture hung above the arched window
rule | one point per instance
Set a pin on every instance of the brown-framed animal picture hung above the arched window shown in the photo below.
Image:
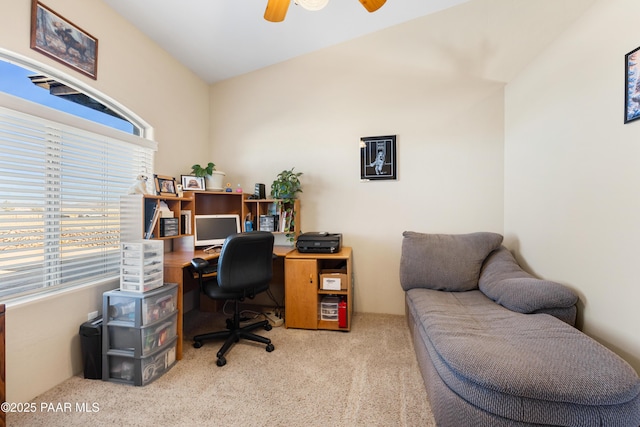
(60, 39)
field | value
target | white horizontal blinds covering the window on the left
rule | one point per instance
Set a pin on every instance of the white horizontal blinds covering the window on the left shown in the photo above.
(60, 187)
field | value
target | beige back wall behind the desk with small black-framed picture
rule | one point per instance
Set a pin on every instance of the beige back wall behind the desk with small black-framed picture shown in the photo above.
(435, 82)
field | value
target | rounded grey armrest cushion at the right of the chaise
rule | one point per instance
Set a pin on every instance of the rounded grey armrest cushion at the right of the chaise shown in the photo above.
(503, 281)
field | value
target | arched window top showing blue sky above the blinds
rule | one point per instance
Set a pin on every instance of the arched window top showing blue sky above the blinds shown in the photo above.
(21, 78)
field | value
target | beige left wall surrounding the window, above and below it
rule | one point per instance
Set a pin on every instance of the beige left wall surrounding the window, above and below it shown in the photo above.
(43, 345)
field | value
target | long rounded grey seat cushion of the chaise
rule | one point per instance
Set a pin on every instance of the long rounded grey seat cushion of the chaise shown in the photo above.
(529, 368)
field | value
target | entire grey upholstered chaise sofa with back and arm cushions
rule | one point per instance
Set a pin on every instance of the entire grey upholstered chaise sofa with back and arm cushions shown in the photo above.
(497, 347)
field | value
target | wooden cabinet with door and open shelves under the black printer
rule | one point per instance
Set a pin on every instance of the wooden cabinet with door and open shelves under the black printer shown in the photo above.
(302, 288)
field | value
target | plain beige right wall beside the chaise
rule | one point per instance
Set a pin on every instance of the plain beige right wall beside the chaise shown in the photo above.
(571, 196)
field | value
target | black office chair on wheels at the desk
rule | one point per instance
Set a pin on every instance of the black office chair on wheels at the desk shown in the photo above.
(244, 269)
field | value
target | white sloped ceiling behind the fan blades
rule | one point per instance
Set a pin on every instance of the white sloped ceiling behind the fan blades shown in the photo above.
(219, 39)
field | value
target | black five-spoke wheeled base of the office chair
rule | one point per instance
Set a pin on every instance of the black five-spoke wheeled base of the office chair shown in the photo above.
(234, 334)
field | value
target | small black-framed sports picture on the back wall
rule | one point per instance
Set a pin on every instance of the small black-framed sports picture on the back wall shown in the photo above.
(378, 158)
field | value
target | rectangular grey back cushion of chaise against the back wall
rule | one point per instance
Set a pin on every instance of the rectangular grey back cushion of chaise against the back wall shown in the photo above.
(448, 262)
